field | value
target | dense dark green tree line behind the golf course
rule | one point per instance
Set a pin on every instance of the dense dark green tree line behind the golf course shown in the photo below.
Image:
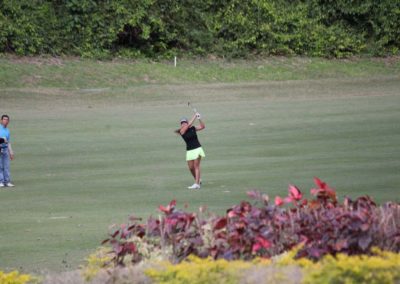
(229, 28)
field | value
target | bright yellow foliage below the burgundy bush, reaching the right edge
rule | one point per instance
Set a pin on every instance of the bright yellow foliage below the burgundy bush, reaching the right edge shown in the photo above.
(382, 267)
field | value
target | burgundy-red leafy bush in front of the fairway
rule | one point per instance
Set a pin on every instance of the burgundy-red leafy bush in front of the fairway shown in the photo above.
(321, 225)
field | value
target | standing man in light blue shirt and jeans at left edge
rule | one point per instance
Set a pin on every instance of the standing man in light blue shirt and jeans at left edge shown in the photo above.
(6, 152)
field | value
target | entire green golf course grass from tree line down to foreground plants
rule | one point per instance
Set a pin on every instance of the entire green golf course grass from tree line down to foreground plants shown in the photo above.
(92, 150)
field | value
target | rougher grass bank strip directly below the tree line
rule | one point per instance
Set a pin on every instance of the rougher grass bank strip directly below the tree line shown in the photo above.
(76, 73)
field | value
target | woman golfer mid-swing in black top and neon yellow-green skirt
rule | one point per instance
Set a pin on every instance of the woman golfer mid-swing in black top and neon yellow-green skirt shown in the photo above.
(194, 151)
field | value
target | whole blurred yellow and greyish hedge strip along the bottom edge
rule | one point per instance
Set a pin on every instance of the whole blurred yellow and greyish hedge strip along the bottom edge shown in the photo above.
(380, 268)
